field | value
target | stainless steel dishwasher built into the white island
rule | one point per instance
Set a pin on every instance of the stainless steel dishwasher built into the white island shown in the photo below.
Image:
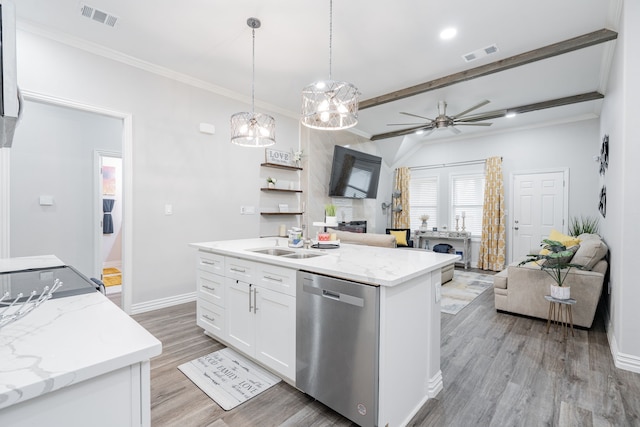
(337, 336)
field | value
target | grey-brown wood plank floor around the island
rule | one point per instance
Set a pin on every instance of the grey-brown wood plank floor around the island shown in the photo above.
(498, 370)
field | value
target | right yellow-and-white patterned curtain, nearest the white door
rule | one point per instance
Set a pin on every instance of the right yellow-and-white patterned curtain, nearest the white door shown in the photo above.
(493, 241)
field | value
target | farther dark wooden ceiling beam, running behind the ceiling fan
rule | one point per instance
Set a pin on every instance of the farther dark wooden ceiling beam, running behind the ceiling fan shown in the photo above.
(567, 100)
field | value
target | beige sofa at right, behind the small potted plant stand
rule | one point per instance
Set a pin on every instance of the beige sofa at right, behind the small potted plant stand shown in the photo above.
(521, 289)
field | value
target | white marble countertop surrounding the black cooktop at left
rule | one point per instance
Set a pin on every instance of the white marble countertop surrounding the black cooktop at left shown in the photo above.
(66, 341)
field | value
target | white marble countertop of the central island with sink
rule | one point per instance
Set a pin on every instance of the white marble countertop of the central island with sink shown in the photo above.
(366, 264)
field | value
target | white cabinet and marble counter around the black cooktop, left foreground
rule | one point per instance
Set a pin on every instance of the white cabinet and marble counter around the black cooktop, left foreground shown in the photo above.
(74, 361)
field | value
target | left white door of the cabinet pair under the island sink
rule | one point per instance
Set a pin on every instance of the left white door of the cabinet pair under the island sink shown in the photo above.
(240, 317)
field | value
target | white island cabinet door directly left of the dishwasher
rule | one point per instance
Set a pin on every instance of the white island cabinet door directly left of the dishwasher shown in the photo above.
(276, 331)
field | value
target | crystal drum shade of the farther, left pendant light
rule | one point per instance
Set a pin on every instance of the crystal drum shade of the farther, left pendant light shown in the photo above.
(253, 129)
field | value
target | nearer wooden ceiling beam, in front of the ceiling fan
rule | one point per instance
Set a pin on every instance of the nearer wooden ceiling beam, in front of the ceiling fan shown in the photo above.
(570, 45)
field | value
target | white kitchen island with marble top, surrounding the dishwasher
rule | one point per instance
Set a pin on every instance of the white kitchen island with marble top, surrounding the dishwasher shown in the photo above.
(409, 311)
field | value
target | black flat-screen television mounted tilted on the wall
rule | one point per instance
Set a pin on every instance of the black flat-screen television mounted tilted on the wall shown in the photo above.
(354, 174)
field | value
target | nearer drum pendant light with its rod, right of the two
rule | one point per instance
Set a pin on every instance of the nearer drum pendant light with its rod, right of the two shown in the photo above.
(330, 104)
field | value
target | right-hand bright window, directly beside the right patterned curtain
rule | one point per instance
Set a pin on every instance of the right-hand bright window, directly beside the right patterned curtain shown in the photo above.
(467, 199)
